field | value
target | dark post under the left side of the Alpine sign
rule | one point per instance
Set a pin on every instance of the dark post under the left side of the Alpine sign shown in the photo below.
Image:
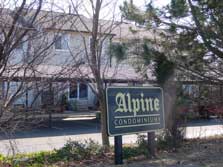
(118, 150)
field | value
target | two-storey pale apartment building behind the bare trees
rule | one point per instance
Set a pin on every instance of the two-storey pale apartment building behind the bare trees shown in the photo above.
(62, 67)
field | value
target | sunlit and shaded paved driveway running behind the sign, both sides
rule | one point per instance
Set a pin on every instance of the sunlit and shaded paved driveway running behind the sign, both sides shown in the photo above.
(45, 138)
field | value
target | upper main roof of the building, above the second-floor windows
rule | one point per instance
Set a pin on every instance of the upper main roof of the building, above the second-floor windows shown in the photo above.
(79, 23)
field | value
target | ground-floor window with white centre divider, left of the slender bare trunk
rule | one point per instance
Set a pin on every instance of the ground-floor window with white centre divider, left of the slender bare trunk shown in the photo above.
(78, 91)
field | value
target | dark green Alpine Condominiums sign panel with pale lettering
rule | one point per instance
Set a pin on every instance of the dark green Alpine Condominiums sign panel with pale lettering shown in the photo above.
(134, 109)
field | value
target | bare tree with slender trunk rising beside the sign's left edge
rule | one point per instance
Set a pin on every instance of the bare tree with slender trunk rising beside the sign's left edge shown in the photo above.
(96, 57)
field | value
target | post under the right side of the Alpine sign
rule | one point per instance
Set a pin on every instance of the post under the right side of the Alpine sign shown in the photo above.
(151, 144)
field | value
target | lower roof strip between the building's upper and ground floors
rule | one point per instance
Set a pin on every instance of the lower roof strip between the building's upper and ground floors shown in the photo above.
(58, 73)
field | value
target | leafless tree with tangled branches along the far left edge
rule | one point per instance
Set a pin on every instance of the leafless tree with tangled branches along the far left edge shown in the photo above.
(27, 36)
